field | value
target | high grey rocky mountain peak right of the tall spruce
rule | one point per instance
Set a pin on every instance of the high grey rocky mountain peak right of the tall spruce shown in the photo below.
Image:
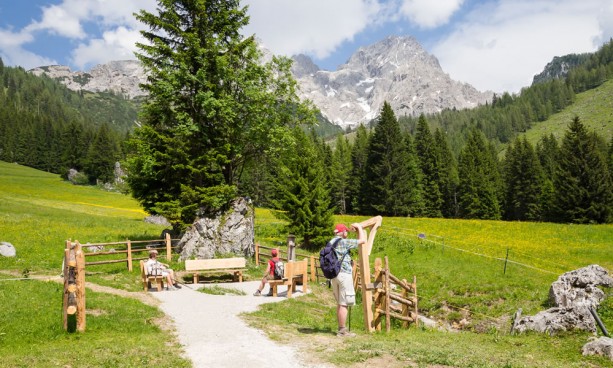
(397, 70)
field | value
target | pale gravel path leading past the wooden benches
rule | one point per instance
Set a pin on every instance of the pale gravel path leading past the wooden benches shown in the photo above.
(213, 335)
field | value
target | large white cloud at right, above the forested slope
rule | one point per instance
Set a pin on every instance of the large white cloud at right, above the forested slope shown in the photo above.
(502, 47)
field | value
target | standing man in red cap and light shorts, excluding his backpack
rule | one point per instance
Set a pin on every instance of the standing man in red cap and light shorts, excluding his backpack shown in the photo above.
(342, 284)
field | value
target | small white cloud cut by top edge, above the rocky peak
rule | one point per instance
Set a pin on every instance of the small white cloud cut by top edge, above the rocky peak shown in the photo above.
(428, 13)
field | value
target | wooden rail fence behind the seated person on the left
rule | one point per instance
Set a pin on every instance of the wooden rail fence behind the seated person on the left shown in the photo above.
(127, 250)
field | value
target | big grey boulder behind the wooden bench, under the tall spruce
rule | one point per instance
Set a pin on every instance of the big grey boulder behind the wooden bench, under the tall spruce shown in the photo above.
(231, 232)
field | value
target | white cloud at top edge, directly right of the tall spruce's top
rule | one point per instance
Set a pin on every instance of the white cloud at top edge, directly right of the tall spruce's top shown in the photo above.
(316, 27)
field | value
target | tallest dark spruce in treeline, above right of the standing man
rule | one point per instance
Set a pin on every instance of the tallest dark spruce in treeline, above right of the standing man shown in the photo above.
(387, 174)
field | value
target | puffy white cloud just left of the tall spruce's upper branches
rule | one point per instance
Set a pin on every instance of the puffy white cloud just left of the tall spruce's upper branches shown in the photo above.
(118, 44)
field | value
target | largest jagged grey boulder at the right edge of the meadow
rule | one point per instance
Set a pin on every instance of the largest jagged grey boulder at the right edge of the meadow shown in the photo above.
(572, 296)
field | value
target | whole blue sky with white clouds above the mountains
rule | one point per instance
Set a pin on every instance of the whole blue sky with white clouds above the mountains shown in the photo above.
(496, 45)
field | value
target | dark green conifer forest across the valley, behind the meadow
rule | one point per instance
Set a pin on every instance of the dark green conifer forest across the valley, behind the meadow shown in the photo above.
(441, 165)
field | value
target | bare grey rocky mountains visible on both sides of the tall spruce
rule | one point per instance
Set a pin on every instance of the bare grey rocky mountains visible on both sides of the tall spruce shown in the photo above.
(397, 70)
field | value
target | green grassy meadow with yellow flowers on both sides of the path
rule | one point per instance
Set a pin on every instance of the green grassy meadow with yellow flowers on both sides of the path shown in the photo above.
(472, 276)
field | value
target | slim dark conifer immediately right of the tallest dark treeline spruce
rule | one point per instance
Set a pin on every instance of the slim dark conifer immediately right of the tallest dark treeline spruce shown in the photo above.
(428, 159)
